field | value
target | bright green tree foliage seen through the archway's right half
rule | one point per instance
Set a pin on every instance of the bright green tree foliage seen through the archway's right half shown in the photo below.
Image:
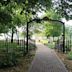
(53, 29)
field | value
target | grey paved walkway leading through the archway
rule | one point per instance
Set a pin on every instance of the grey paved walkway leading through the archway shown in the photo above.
(46, 61)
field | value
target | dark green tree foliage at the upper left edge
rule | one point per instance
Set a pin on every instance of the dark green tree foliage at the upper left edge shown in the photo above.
(5, 19)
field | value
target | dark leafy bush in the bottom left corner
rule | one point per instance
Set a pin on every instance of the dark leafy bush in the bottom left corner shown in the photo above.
(8, 60)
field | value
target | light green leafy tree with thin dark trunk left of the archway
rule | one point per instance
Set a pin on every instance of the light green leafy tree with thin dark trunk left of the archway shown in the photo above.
(17, 19)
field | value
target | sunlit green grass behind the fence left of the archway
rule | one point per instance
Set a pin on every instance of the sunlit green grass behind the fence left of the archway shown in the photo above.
(11, 47)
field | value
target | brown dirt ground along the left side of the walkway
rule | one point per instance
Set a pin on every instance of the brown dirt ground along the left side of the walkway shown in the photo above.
(24, 64)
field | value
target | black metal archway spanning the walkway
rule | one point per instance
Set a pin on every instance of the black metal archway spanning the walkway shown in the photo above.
(38, 20)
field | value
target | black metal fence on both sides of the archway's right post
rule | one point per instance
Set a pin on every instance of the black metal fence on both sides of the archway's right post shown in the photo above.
(59, 45)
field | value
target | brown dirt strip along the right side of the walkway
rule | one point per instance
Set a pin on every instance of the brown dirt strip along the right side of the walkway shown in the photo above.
(68, 63)
